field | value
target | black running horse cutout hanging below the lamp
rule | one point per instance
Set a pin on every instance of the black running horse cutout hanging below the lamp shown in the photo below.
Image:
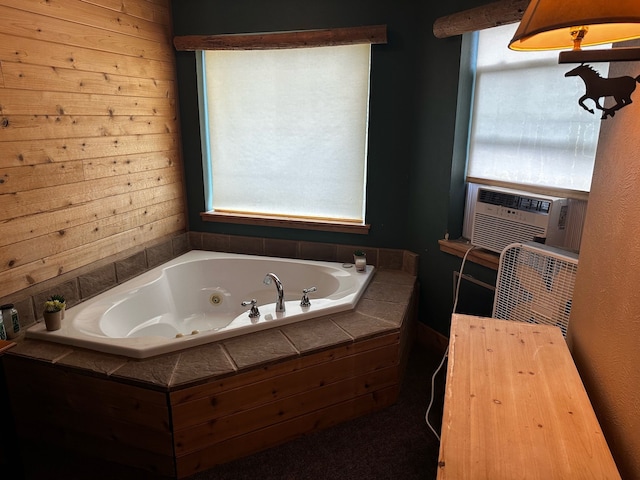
(597, 87)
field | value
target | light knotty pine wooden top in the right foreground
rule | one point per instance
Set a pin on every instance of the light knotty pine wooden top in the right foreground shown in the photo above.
(515, 407)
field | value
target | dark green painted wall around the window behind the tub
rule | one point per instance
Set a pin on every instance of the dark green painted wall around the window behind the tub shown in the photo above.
(415, 189)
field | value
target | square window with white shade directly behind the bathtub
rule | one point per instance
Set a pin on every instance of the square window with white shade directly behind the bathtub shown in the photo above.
(286, 131)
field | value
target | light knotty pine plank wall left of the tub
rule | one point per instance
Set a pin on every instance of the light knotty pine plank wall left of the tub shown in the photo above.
(90, 161)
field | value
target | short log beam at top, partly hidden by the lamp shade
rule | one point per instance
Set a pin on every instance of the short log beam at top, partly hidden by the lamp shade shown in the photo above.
(493, 14)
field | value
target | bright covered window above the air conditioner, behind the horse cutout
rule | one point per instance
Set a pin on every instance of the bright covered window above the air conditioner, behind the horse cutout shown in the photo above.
(527, 128)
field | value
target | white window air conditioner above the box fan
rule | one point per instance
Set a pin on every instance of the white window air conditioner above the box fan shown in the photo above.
(503, 216)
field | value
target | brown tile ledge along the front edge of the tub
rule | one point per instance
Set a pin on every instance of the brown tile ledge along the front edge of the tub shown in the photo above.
(381, 310)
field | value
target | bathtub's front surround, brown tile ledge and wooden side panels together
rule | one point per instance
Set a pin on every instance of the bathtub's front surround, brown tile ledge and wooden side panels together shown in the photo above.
(181, 413)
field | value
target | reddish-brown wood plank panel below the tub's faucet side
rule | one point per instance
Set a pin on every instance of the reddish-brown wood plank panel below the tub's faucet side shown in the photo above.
(241, 415)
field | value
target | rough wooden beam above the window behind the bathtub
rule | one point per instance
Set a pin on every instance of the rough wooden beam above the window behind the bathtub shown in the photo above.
(376, 34)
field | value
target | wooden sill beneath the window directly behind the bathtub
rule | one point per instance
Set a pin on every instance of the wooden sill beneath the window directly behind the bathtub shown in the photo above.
(286, 222)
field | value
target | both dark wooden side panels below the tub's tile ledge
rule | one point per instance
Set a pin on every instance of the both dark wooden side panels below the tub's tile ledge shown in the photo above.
(175, 434)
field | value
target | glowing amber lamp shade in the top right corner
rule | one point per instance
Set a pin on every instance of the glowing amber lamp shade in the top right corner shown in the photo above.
(548, 24)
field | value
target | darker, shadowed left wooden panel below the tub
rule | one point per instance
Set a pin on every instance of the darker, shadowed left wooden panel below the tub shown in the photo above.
(64, 409)
